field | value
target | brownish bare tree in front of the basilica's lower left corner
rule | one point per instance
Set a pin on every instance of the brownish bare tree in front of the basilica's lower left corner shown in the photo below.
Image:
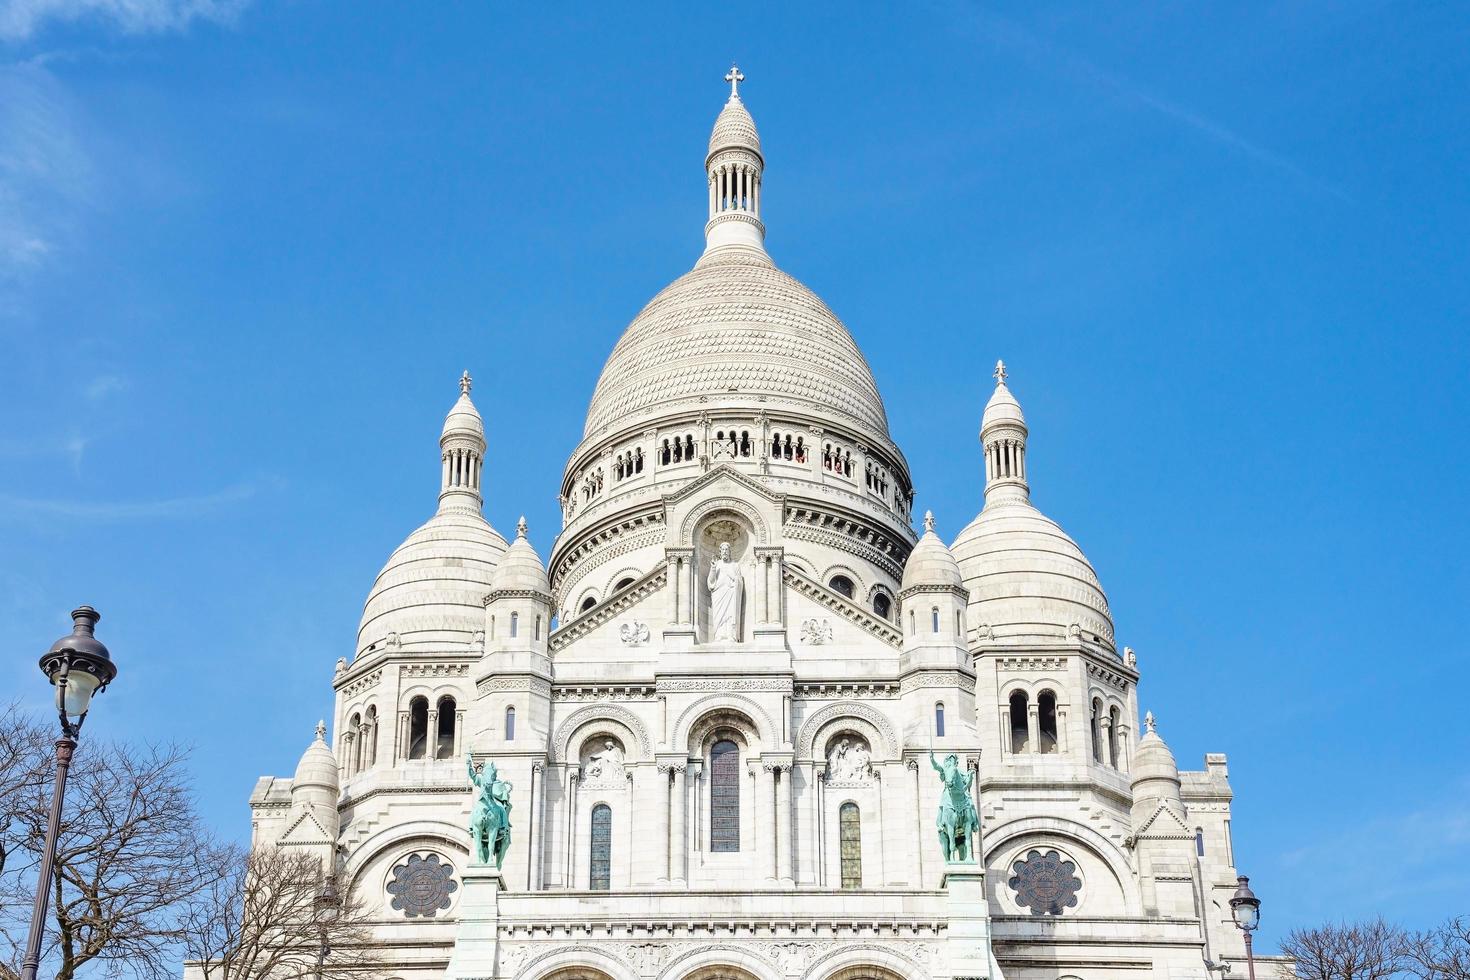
(264, 920)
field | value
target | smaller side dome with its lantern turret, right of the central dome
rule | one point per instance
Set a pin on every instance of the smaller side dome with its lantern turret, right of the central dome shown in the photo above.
(1028, 580)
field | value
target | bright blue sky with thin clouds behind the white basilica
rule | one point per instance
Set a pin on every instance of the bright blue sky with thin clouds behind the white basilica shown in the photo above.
(246, 251)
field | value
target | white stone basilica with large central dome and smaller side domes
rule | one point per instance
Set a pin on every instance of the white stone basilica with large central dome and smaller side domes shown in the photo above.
(717, 703)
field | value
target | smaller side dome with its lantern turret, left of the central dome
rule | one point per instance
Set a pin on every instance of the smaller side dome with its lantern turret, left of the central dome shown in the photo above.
(433, 588)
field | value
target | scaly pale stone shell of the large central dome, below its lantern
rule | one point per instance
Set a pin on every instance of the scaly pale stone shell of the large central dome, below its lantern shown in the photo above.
(736, 328)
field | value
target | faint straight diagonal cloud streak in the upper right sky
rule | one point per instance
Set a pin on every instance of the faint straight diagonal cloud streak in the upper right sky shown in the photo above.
(1040, 49)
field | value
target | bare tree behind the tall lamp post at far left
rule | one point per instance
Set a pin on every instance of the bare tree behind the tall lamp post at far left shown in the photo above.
(130, 853)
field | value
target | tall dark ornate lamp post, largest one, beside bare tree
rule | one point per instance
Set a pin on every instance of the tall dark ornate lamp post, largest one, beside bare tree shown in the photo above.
(79, 666)
